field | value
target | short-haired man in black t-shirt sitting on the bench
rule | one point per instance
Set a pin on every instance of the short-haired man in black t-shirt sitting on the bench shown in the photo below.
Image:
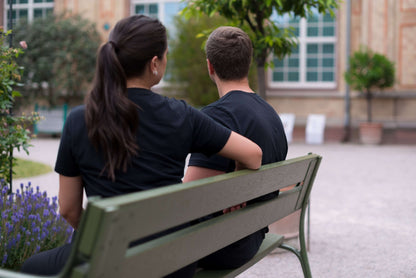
(229, 51)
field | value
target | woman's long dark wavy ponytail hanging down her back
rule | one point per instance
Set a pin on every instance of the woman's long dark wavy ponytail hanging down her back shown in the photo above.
(112, 119)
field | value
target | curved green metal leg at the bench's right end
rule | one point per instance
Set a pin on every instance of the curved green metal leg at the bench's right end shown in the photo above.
(302, 253)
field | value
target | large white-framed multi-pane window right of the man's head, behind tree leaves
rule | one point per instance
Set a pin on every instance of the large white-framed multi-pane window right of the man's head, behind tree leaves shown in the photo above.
(312, 63)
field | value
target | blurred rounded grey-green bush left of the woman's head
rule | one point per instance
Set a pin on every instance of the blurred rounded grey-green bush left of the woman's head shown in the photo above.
(60, 58)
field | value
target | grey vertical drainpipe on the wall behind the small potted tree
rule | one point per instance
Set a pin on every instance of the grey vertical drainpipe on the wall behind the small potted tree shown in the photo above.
(347, 120)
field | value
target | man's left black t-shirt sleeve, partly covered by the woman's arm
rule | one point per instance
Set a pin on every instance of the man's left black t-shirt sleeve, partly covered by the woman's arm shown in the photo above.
(215, 162)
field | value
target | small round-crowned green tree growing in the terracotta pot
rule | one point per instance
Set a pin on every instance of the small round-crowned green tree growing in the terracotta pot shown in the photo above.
(369, 71)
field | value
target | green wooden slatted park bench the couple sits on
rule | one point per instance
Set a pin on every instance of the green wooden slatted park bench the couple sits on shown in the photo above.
(108, 226)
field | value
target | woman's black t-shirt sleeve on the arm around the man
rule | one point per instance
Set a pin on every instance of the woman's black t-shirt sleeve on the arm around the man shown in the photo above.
(209, 137)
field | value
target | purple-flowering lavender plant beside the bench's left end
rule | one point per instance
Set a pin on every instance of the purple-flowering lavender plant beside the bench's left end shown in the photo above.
(29, 224)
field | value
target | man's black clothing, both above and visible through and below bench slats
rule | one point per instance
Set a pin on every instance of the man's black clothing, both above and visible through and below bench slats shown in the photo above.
(251, 116)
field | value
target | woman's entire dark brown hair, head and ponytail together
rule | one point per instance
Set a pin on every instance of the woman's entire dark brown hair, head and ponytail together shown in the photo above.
(112, 119)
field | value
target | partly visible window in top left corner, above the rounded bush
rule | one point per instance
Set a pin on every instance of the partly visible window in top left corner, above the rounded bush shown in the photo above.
(27, 9)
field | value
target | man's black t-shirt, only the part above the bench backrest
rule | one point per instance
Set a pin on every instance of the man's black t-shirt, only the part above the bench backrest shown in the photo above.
(249, 115)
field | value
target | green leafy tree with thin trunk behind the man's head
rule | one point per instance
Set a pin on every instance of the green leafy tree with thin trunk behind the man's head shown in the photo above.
(254, 17)
